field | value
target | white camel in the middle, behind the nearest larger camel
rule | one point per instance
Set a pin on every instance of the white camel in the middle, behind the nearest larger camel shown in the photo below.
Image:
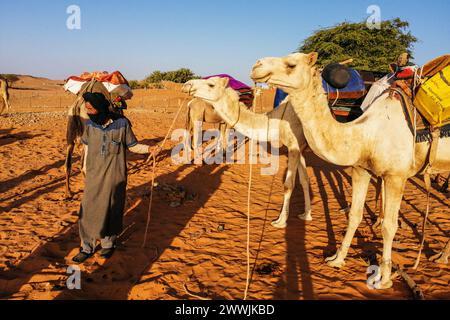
(284, 125)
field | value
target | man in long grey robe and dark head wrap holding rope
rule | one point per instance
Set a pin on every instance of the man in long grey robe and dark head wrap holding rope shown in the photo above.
(107, 137)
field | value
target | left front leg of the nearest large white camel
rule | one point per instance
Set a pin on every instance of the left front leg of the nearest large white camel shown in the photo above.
(360, 181)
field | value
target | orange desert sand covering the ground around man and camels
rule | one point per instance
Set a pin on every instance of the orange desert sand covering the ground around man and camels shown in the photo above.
(38, 228)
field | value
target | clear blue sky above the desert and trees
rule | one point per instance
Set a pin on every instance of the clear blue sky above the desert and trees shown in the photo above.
(208, 36)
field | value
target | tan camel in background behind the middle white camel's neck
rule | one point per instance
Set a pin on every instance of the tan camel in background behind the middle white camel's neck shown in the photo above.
(200, 112)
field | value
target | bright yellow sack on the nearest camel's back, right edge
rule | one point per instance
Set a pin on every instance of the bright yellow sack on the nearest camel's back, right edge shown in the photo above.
(433, 98)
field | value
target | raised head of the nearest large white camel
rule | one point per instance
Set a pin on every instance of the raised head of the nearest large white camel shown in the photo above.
(289, 73)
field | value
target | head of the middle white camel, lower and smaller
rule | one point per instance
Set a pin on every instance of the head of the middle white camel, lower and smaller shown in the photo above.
(210, 90)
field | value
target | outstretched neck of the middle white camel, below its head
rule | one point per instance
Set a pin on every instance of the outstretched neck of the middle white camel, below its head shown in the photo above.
(252, 125)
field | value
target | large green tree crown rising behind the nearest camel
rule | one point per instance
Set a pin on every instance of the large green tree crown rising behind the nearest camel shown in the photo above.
(371, 49)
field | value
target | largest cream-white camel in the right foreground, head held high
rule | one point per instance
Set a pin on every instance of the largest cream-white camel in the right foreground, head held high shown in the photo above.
(379, 142)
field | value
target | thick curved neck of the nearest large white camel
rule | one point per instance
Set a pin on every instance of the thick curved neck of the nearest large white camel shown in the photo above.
(334, 142)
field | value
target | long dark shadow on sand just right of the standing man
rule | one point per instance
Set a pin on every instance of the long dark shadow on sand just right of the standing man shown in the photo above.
(116, 277)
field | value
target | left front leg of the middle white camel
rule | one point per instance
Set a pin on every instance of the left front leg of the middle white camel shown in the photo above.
(289, 186)
